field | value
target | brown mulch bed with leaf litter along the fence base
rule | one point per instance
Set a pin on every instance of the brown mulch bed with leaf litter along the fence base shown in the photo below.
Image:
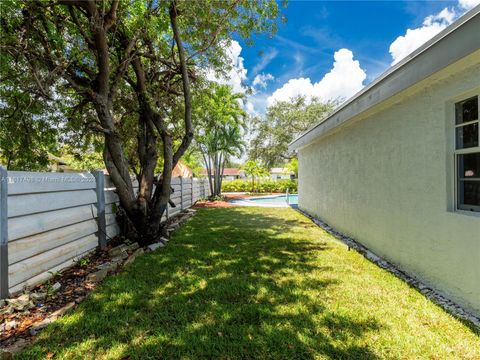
(74, 288)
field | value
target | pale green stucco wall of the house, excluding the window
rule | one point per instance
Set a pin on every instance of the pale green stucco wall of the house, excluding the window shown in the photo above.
(386, 179)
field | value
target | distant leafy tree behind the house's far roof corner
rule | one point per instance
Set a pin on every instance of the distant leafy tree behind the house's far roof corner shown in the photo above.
(284, 121)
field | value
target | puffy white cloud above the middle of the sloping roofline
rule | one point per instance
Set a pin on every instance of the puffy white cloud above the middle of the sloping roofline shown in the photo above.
(344, 80)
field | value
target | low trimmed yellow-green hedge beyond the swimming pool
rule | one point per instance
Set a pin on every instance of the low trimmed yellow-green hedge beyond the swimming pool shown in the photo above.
(261, 186)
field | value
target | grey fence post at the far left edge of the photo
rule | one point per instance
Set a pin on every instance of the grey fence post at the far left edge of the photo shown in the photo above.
(3, 233)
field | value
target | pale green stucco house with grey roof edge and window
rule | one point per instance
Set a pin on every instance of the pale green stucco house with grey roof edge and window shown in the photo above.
(397, 167)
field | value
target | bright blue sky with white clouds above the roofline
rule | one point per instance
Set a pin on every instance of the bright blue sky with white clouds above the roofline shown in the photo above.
(332, 49)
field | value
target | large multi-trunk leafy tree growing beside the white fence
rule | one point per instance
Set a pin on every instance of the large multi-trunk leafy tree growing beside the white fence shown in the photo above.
(125, 70)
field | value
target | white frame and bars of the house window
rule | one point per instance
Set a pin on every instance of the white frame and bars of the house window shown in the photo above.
(471, 150)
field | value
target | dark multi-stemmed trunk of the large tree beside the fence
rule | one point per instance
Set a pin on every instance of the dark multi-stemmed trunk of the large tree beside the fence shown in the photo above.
(146, 209)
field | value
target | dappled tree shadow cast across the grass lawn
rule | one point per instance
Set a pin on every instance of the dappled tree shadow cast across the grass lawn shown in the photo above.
(231, 284)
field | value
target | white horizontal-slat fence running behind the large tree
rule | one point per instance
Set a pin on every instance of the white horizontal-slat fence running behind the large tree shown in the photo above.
(48, 221)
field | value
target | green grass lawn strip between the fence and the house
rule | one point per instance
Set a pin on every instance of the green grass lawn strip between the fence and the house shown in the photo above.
(255, 283)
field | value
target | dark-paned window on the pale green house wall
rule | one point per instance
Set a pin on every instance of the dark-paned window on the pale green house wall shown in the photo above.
(467, 154)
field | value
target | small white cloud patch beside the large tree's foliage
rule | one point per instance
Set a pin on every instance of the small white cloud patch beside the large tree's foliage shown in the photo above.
(237, 74)
